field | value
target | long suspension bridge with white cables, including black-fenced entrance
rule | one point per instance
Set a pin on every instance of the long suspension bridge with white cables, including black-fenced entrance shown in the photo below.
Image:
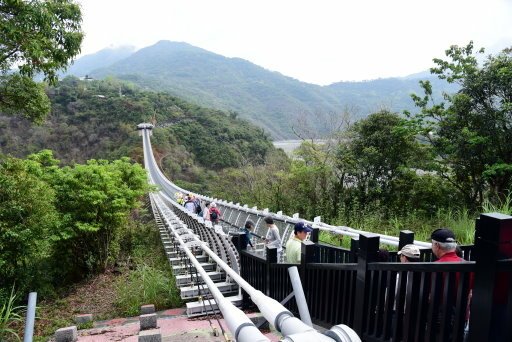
(334, 294)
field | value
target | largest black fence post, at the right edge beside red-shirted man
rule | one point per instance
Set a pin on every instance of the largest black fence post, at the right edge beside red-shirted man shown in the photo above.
(488, 321)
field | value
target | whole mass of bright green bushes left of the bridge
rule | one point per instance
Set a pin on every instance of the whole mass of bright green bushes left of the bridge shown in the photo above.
(61, 224)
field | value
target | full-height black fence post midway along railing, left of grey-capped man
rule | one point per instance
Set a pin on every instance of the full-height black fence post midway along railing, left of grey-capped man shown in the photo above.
(368, 248)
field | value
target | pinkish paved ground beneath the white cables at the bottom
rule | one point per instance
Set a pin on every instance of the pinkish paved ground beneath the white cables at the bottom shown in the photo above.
(174, 326)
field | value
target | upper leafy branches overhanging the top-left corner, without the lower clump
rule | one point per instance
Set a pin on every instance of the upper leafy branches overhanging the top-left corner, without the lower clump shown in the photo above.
(39, 36)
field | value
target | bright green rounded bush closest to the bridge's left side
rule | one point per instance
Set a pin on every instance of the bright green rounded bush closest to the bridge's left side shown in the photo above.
(96, 200)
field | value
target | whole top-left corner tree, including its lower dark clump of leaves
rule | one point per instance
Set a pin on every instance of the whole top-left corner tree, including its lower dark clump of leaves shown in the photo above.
(36, 37)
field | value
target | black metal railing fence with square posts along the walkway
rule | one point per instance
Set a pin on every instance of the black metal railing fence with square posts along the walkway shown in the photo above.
(390, 301)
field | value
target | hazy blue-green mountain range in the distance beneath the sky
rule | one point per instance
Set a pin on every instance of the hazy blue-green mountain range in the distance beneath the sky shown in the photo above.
(280, 104)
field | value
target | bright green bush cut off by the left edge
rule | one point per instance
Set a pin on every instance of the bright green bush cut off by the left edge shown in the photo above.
(28, 222)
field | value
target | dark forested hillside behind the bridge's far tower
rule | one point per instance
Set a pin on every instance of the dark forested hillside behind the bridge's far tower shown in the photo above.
(97, 119)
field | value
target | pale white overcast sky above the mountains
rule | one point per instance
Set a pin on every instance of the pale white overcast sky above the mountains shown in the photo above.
(314, 41)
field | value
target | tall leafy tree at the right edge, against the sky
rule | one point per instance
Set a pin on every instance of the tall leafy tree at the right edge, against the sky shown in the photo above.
(471, 130)
